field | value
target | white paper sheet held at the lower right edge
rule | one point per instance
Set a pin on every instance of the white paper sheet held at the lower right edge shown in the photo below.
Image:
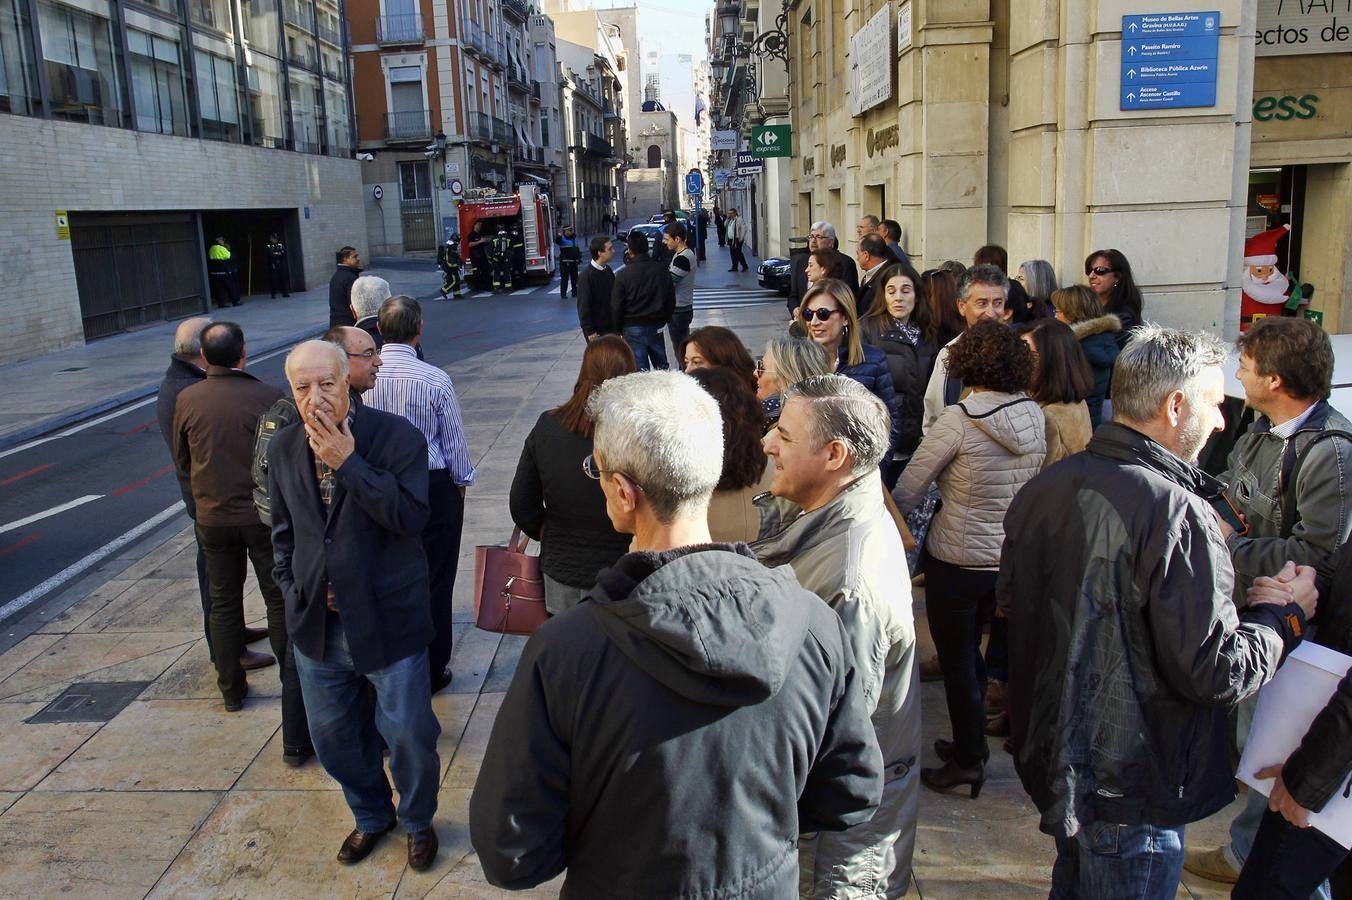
(1288, 706)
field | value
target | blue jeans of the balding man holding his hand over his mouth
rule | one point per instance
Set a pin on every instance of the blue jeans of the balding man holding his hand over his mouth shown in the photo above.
(347, 729)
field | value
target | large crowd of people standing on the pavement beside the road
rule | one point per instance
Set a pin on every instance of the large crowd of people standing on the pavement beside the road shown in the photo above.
(728, 686)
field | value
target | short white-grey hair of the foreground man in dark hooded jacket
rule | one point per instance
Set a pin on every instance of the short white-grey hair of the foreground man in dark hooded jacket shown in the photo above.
(666, 433)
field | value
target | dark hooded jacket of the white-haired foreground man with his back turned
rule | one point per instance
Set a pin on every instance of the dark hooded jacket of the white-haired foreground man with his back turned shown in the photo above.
(674, 736)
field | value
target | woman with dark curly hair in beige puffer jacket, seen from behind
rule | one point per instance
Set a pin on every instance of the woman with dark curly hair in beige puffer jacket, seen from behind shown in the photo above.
(982, 452)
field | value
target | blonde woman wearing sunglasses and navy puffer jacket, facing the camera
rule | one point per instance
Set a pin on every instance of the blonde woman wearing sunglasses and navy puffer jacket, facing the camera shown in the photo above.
(832, 321)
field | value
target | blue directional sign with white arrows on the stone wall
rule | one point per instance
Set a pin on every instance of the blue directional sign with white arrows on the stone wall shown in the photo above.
(1170, 60)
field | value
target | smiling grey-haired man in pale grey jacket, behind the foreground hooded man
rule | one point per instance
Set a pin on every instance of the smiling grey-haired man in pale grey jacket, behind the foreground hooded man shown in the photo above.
(846, 549)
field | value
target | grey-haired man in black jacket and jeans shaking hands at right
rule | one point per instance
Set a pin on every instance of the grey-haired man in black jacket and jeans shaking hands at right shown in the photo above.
(1124, 667)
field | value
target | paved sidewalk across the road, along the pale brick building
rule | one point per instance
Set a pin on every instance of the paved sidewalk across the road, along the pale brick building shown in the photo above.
(71, 386)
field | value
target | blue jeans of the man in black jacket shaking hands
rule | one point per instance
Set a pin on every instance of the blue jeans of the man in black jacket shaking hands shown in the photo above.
(1119, 863)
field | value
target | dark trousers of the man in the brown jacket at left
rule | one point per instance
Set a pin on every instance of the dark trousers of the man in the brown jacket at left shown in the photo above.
(229, 549)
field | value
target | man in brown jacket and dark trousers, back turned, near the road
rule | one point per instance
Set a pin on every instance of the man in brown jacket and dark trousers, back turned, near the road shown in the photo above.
(214, 428)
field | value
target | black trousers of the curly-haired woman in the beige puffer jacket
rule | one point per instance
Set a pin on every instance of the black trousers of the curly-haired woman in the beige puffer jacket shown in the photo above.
(958, 602)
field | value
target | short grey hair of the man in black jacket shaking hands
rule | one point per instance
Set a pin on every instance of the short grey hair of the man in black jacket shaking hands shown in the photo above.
(1158, 361)
